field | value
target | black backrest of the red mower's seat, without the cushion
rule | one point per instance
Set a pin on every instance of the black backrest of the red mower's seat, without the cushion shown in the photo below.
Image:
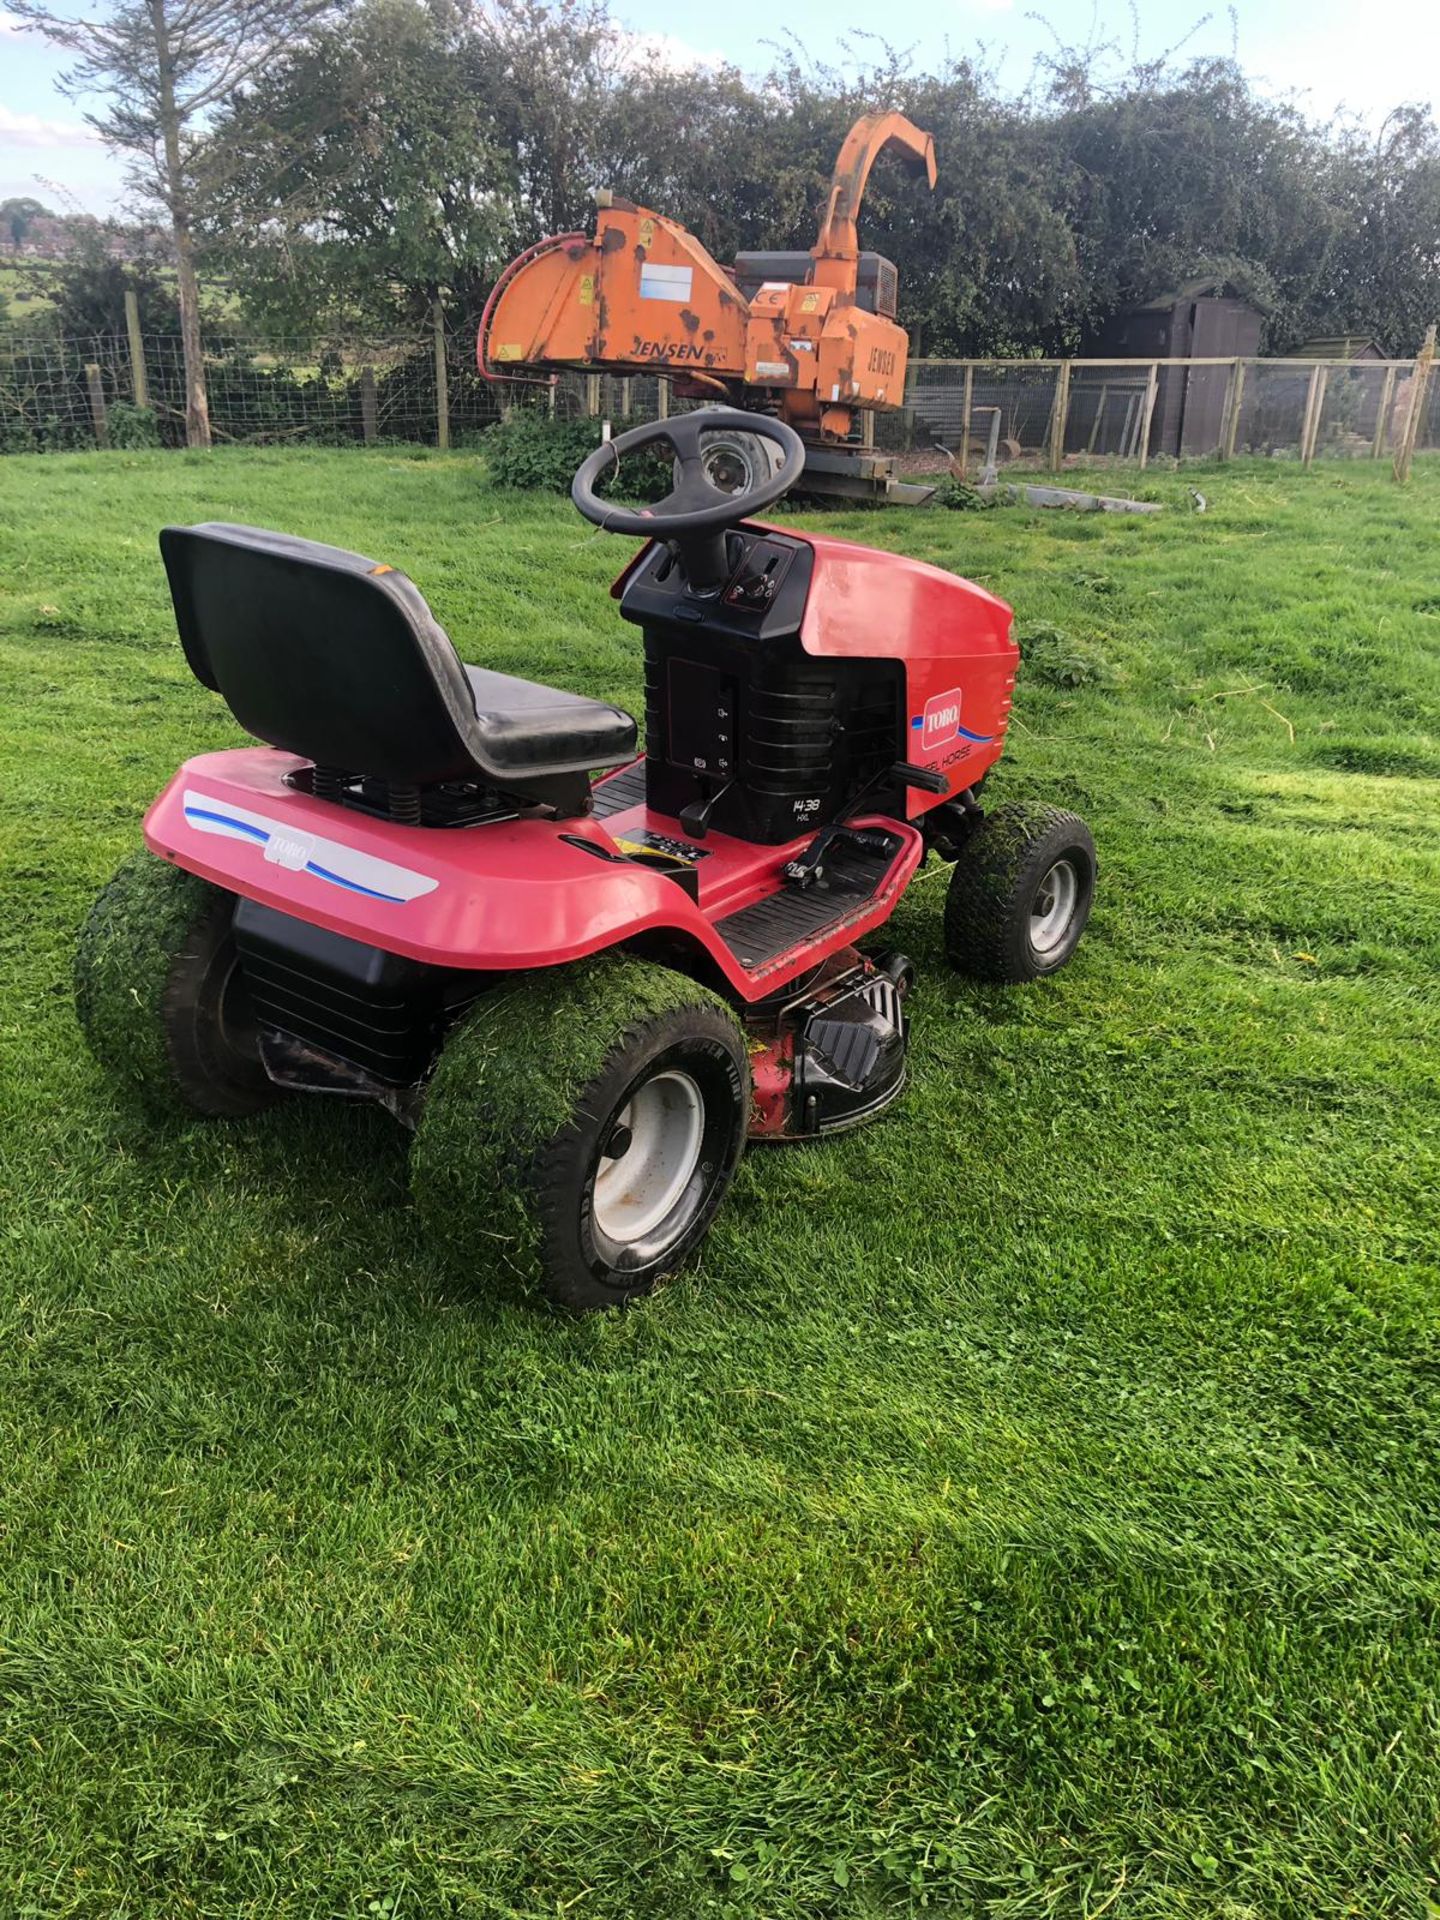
(322, 652)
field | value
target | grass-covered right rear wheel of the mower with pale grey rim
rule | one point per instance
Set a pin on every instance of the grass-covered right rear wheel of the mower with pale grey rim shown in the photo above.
(581, 1132)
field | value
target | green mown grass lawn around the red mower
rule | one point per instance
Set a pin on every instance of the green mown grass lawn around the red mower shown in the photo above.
(1024, 1508)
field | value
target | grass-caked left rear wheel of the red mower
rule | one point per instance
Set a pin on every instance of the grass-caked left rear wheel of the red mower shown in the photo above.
(162, 999)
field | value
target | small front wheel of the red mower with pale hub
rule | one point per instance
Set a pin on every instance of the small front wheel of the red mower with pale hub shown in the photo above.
(1020, 894)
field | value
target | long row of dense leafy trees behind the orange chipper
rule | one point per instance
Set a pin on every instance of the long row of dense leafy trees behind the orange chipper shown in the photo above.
(416, 147)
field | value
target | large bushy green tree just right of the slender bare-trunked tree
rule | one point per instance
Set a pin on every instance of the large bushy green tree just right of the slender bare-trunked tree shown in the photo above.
(414, 147)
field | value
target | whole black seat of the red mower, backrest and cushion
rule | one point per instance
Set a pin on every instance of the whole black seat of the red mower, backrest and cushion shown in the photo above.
(339, 660)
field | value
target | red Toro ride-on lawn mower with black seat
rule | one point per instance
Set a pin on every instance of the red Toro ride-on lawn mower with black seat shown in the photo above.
(585, 992)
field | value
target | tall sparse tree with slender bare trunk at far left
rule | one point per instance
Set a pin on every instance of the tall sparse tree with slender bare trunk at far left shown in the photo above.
(166, 66)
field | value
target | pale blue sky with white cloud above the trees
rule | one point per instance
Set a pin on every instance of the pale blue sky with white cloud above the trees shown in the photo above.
(1330, 55)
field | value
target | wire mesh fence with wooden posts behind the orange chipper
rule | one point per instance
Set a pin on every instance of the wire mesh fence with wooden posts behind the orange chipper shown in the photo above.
(122, 391)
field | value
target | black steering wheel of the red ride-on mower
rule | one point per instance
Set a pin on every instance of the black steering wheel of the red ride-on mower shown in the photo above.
(694, 514)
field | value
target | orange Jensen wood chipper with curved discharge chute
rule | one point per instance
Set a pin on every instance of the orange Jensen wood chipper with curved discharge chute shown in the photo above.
(809, 337)
